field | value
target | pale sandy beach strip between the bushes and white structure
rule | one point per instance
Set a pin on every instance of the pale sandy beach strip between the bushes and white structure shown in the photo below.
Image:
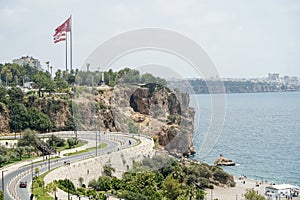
(236, 193)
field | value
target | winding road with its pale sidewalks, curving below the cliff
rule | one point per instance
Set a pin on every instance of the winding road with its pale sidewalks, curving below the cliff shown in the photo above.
(25, 170)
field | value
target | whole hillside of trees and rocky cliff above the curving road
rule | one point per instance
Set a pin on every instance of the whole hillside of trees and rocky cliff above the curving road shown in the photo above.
(122, 101)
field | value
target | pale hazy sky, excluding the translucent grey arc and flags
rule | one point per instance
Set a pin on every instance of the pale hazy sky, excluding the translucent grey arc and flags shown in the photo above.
(242, 38)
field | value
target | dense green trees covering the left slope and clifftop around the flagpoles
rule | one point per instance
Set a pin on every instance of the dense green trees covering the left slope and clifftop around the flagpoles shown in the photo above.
(37, 108)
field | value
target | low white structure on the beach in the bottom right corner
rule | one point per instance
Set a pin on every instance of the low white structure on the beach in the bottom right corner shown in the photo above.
(276, 192)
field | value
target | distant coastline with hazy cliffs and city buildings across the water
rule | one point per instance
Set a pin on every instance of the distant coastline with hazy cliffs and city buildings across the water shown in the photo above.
(272, 83)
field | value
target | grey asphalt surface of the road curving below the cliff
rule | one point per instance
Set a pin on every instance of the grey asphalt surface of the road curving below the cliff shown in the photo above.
(26, 171)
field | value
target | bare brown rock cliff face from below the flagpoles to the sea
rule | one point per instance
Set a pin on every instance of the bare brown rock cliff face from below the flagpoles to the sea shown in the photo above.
(149, 109)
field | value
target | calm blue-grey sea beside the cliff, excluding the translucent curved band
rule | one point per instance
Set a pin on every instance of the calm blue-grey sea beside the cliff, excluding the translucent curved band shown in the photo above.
(261, 134)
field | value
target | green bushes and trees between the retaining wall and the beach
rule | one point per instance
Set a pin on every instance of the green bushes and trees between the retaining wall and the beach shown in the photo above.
(156, 178)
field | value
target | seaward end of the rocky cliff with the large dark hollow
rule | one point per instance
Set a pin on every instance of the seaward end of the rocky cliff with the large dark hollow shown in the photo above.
(171, 118)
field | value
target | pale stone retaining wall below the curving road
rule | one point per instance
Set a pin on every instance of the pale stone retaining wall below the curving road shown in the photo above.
(91, 168)
